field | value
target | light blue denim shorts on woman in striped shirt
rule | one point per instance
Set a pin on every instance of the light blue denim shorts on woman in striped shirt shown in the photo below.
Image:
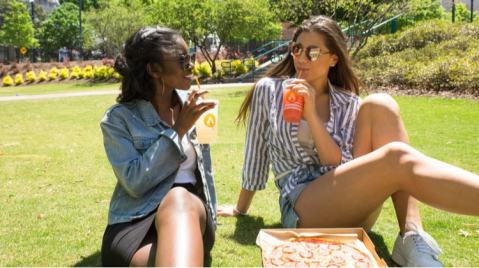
(289, 218)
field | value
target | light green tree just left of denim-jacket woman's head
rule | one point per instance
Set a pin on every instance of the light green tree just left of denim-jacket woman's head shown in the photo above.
(115, 23)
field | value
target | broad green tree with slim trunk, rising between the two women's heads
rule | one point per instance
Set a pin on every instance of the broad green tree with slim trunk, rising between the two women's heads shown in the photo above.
(228, 21)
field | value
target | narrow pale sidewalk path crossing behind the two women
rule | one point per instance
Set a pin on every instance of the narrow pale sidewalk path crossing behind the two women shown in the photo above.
(101, 92)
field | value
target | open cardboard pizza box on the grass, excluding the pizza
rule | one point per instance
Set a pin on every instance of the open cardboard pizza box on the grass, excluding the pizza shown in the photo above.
(267, 239)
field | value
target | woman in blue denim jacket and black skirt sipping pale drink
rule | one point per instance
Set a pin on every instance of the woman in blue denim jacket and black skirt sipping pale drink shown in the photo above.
(162, 211)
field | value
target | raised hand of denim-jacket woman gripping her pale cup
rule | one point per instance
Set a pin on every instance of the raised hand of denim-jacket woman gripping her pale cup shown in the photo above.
(191, 111)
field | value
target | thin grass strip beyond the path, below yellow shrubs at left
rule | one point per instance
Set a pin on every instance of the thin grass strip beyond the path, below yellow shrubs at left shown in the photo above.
(62, 87)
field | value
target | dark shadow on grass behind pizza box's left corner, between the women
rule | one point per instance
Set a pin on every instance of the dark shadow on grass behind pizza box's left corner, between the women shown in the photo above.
(247, 228)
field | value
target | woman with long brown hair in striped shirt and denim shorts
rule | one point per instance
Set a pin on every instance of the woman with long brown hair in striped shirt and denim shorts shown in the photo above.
(337, 166)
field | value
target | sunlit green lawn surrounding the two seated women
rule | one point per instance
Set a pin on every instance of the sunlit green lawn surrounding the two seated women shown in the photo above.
(56, 182)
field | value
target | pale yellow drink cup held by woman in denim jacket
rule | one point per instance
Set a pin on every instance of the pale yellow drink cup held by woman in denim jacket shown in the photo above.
(207, 126)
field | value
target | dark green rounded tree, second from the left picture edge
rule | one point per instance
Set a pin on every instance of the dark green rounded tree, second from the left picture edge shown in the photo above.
(62, 29)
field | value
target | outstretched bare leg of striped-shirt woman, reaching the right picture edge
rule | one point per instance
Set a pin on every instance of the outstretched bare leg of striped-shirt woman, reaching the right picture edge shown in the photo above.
(342, 197)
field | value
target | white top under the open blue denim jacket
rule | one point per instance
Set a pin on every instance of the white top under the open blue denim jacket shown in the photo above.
(186, 172)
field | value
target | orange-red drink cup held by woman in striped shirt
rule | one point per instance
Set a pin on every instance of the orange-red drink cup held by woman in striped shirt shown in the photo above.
(292, 103)
